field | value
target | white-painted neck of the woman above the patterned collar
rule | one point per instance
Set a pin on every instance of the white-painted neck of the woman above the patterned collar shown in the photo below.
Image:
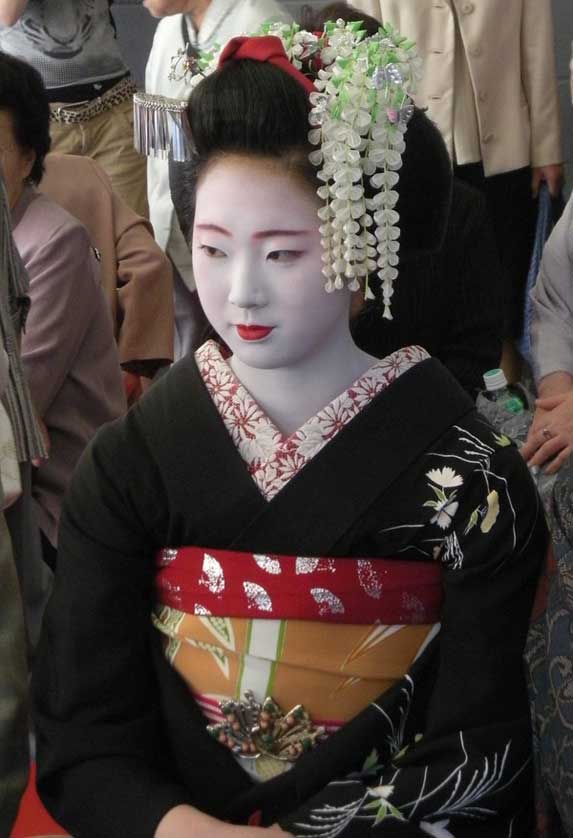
(292, 395)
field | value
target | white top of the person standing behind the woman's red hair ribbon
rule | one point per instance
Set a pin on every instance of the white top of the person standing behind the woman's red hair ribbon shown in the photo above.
(224, 19)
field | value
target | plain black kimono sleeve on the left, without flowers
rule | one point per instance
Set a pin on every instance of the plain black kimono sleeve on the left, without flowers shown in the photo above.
(99, 736)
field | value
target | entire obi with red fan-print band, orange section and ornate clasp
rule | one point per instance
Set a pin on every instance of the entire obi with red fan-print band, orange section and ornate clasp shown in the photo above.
(327, 637)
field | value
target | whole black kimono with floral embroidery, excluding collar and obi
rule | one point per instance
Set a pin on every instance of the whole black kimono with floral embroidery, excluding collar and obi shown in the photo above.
(416, 474)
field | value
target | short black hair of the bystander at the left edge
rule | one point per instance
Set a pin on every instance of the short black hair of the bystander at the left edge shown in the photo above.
(23, 96)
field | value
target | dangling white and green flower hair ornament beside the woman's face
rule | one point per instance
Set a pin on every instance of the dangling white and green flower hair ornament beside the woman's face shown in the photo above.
(360, 113)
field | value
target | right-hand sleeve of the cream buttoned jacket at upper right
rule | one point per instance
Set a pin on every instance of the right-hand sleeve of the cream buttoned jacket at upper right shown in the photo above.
(540, 82)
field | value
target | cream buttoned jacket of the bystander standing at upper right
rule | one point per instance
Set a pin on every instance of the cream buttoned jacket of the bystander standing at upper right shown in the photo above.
(510, 52)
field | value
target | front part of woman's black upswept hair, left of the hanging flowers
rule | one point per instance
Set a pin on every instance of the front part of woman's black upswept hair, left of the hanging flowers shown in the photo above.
(246, 107)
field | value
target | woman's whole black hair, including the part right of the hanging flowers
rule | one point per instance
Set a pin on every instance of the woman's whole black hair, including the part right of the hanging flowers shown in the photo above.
(255, 109)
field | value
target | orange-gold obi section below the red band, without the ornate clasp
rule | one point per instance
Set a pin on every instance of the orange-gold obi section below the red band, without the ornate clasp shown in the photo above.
(334, 670)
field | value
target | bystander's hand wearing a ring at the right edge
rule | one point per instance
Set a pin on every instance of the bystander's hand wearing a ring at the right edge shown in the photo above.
(550, 439)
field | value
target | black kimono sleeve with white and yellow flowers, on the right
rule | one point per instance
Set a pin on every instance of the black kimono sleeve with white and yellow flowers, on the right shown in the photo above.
(450, 752)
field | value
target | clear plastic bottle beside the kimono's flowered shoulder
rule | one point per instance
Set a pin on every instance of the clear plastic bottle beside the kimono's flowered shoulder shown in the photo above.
(507, 408)
